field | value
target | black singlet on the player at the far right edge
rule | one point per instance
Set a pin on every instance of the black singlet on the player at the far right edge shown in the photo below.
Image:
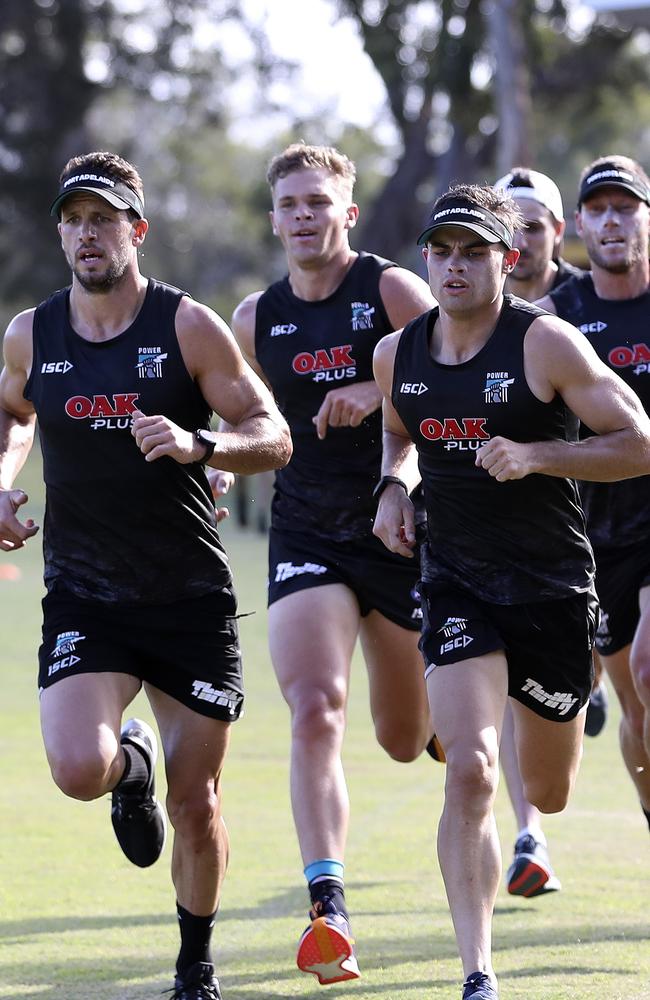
(618, 514)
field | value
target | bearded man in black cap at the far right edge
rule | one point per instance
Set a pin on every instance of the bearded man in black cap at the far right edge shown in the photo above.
(611, 306)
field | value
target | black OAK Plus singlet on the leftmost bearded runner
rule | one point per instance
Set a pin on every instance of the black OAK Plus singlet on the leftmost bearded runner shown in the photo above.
(118, 528)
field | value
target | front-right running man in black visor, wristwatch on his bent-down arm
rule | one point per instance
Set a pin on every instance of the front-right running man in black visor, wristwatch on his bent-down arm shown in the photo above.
(507, 593)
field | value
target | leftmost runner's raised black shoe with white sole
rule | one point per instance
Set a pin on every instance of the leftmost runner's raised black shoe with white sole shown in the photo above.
(138, 818)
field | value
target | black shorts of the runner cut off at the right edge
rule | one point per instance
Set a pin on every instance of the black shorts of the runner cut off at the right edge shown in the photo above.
(620, 575)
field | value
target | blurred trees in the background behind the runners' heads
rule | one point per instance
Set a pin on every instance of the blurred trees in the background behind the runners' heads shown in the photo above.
(470, 86)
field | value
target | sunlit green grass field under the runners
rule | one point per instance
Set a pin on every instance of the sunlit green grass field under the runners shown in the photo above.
(78, 922)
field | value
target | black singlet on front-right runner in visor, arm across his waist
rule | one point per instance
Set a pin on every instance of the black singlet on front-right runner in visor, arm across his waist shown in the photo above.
(509, 543)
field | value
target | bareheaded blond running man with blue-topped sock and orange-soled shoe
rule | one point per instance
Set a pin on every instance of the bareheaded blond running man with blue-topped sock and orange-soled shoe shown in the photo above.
(311, 337)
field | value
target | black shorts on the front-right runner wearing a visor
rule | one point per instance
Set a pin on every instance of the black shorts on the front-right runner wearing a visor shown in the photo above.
(547, 644)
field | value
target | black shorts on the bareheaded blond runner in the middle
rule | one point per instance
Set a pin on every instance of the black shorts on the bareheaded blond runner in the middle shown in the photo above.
(381, 580)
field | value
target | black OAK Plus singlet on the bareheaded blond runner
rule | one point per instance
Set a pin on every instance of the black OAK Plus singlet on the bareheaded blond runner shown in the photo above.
(306, 349)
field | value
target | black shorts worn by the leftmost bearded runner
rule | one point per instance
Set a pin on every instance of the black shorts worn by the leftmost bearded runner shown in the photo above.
(189, 649)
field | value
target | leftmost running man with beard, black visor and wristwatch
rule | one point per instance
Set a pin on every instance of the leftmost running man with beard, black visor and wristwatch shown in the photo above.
(123, 373)
